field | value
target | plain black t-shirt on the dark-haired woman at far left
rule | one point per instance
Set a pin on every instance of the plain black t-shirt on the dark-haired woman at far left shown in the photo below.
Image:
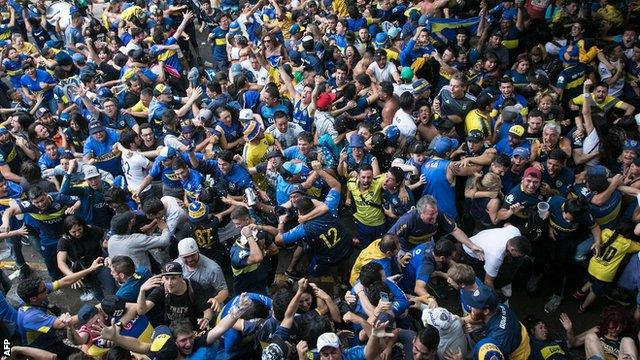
(83, 250)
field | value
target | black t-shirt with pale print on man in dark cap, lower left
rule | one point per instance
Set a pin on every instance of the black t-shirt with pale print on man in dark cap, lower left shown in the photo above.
(189, 305)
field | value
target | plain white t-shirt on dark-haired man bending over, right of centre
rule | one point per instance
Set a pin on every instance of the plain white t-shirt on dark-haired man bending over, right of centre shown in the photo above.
(494, 244)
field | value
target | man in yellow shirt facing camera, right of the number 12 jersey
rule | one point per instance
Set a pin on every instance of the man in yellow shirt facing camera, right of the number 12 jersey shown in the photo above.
(365, 191)
